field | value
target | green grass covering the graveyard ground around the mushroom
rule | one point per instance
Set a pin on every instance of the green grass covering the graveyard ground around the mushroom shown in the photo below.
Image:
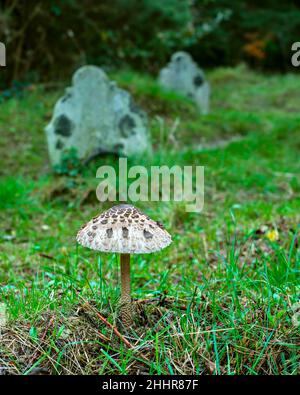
(222, 295)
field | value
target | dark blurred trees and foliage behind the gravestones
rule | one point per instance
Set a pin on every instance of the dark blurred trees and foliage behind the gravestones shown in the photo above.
(50, 39)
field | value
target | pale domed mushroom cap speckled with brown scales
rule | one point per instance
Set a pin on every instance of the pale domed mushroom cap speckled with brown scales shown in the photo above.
(124, 229)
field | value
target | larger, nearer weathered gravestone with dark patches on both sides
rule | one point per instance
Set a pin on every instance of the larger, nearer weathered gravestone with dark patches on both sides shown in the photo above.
(95, 116)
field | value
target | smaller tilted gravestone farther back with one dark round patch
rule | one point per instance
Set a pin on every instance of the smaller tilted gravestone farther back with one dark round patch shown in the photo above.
(183, 75)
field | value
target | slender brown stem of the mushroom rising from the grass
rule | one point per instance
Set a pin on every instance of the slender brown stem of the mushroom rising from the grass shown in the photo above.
(126, 307)
